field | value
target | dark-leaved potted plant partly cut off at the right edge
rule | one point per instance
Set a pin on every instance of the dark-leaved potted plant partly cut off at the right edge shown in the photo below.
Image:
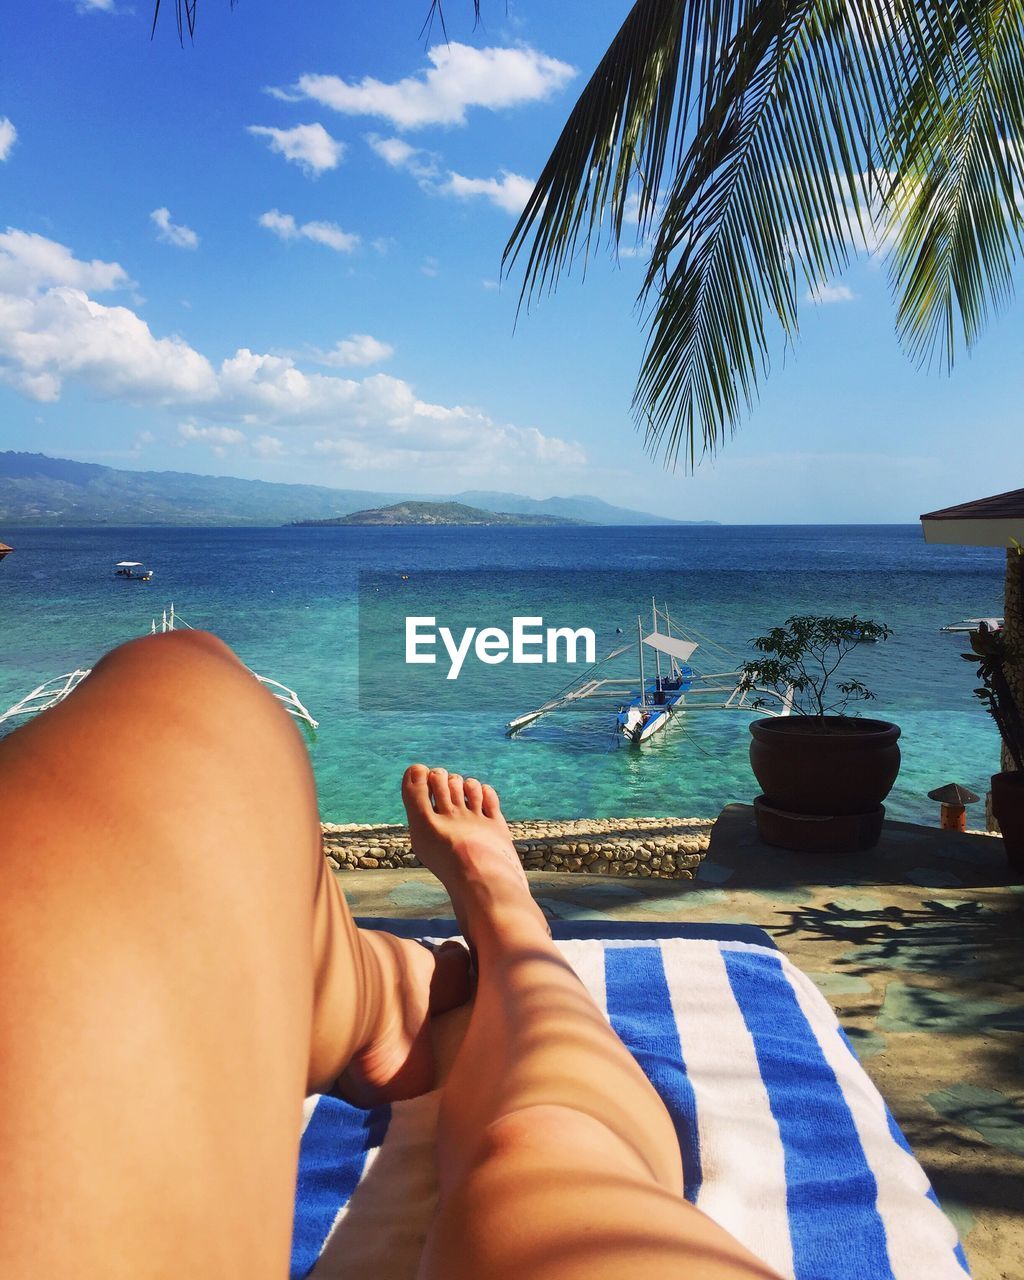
(993, 655)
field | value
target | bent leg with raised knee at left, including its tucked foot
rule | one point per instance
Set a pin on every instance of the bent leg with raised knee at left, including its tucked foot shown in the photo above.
(162, 1008)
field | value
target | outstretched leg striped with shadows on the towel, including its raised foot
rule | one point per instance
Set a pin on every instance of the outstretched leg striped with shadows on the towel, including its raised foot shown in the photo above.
(557, 1159)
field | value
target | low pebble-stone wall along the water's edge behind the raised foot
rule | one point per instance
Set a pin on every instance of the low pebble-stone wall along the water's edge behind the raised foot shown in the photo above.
(661, 848)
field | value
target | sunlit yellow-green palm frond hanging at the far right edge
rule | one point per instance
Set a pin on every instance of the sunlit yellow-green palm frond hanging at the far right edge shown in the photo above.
(958, 176)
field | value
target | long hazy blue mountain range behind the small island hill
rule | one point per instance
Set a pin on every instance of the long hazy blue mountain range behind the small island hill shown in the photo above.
(36, 490)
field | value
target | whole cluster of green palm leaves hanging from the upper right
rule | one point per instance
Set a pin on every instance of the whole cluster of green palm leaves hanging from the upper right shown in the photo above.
(788, 132)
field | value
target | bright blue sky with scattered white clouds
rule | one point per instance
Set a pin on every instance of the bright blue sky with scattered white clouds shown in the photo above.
(276, 254)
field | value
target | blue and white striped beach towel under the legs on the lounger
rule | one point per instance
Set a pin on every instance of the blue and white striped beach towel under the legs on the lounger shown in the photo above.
(784, 1140)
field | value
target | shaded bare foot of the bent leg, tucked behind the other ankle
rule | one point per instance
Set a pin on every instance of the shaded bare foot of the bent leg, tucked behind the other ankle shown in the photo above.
(397, 1060)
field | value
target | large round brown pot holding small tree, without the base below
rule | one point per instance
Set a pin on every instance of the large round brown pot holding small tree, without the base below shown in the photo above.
(831, 767)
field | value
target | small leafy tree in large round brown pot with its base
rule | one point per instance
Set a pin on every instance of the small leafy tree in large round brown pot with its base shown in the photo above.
(824, 772)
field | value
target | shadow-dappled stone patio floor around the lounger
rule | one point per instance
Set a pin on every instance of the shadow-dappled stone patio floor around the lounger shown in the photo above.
(917, 945)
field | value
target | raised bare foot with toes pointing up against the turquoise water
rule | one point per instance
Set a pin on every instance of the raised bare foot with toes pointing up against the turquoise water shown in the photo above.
(459, 831)
